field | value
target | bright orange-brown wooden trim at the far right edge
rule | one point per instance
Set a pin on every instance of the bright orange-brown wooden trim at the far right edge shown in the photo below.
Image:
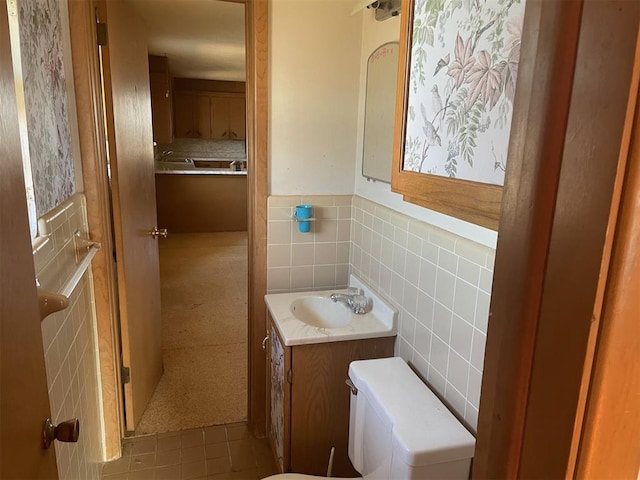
(612, 409)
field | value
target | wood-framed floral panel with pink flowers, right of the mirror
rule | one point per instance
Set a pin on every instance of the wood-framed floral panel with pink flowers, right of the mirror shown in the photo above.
(456, 85)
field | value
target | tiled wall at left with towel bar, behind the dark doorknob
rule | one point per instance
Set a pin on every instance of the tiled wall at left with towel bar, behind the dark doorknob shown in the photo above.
(69, 342)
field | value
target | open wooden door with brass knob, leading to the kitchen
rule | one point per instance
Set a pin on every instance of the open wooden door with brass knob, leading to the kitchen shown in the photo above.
(128, 114)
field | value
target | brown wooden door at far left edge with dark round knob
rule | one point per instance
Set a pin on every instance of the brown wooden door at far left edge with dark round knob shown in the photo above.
(23, 383)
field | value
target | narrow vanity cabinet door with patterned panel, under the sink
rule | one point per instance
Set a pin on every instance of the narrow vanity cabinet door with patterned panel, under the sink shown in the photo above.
(280, 399)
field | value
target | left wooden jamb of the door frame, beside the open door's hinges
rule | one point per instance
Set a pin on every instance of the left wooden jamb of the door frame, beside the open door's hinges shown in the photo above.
(96, 190)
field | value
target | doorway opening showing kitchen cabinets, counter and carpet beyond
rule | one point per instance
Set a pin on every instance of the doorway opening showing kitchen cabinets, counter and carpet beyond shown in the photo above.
(201, 198)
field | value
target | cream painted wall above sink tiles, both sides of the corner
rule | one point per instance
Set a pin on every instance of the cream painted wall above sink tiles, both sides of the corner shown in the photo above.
(318, 65)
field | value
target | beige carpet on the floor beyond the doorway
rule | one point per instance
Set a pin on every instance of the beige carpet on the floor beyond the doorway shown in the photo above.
(204, 314)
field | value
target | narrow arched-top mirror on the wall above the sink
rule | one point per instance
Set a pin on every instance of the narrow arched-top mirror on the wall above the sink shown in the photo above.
(382, 75)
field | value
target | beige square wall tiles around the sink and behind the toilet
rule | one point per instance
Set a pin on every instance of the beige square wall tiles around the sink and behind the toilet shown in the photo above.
(439, 282)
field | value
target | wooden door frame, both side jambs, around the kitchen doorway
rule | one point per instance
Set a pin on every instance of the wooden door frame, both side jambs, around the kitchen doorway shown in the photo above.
(91, 131)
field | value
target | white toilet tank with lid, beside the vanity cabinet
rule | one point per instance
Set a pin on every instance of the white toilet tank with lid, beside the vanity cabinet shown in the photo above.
(399, 429)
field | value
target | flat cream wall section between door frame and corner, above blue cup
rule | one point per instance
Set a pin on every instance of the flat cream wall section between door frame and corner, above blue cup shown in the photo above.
(314, 80)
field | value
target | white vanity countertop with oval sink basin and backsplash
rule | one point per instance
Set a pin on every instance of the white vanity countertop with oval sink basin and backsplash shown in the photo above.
(312, 317)
